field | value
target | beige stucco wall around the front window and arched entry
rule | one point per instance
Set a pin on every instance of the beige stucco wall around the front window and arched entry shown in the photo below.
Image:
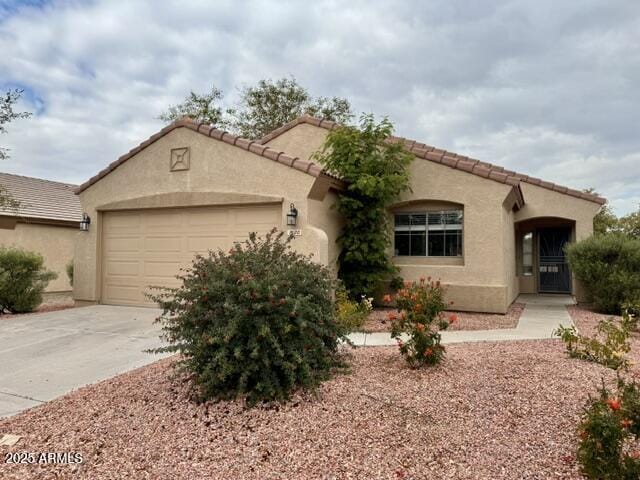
(487, 279)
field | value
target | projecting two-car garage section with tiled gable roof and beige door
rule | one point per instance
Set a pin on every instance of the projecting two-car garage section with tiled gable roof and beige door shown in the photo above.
(191, 188)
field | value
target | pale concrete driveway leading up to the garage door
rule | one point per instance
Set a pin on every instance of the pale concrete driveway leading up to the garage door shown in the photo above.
(45, 355)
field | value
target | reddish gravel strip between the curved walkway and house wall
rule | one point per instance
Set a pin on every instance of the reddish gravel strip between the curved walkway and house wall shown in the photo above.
(378, 320)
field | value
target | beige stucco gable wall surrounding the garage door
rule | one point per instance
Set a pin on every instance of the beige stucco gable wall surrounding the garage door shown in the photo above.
(214, 167)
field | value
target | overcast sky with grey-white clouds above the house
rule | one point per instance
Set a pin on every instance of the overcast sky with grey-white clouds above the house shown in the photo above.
(547, 88)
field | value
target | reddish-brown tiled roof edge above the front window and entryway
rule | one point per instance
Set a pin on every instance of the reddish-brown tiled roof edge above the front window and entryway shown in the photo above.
(450, 159)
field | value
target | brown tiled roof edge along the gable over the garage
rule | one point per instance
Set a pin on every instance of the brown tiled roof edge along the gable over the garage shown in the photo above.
(256, 147)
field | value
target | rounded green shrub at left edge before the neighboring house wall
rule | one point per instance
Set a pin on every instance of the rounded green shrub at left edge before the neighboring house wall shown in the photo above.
(23, 278)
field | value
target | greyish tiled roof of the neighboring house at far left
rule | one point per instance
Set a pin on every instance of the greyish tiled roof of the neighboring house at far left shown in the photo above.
(41, 199)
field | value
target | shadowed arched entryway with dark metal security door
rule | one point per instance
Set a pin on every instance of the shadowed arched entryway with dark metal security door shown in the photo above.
(541, 261)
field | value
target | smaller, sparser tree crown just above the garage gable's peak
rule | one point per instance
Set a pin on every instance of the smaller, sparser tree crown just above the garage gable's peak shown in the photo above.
(202, 108)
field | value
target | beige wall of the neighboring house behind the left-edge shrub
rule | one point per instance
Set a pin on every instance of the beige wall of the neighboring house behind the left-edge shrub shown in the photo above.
(54, 243)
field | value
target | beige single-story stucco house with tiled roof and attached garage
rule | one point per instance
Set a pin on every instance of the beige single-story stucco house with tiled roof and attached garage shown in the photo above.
(486, 232)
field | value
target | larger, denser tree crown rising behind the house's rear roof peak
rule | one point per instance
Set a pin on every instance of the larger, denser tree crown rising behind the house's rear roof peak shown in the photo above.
(271, 104)
